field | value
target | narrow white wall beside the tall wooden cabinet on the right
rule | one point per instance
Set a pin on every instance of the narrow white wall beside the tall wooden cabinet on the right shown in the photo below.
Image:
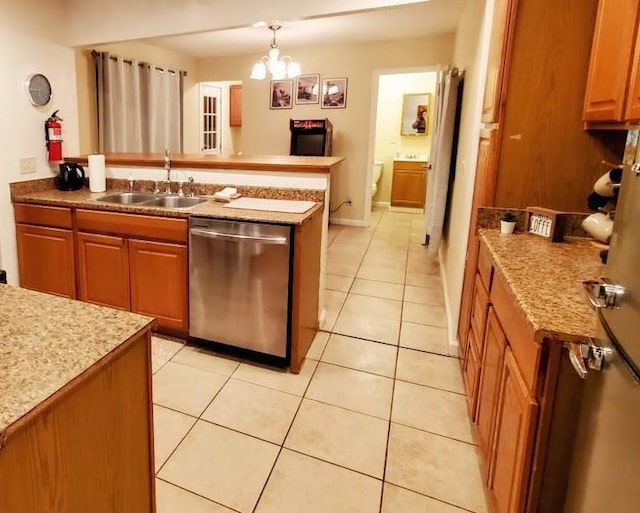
(470, 55)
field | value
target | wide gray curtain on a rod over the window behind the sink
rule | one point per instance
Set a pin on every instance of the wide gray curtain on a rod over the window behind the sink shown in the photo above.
(139, 106)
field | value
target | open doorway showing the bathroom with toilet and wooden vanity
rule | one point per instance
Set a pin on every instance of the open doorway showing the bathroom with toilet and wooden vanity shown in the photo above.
(398, 158)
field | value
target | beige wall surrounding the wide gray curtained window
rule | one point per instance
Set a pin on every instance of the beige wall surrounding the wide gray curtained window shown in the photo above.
(85, 83)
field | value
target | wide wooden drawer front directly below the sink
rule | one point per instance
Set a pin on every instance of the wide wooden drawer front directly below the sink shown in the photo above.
(133, 225)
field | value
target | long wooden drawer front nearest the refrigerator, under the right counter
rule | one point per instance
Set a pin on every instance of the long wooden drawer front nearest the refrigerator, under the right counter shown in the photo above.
(520, 335)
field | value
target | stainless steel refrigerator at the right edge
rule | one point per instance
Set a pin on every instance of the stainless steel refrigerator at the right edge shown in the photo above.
(605, 475)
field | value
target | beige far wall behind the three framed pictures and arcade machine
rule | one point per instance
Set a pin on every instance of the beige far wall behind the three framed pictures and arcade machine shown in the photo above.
(266, 131)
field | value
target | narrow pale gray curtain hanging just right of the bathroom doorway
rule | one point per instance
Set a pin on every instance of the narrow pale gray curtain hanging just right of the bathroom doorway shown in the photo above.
(438, 181)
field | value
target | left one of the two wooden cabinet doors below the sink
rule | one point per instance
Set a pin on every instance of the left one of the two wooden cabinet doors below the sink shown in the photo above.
(103, 270)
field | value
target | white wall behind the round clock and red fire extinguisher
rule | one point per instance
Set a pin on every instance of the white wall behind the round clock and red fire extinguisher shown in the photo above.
(25, 49)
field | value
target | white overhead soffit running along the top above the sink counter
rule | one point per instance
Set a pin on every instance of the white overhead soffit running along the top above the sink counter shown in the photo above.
(85, 20)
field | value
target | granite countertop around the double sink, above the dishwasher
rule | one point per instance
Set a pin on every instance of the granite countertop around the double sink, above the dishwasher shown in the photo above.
(83, 198)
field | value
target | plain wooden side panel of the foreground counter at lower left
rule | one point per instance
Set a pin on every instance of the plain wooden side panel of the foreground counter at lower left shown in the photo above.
(89, 446)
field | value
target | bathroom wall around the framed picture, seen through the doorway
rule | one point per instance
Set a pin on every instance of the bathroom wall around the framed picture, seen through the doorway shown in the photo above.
(388, 141)
